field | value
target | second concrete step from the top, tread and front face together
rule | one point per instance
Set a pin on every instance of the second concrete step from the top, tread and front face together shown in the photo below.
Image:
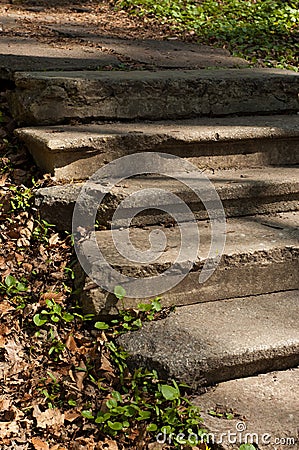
(76, 152)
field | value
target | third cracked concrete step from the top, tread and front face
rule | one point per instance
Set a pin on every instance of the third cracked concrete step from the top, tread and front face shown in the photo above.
(242, 192)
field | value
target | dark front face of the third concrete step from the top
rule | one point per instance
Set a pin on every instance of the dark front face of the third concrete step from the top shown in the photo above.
(57, 208)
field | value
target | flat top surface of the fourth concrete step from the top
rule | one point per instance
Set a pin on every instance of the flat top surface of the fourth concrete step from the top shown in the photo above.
(247, 236)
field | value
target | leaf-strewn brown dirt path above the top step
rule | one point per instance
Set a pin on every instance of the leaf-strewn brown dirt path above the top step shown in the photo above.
(95, 35)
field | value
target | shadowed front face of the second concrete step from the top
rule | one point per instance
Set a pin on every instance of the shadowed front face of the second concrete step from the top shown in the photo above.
(81, 163)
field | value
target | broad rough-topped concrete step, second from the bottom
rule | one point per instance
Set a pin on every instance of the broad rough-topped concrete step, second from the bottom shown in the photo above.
(218, 341)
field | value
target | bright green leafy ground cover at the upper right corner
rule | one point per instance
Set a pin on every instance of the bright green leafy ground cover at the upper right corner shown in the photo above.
(265, 32)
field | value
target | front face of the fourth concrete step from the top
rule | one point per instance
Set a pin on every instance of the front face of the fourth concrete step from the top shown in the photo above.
(259, 275)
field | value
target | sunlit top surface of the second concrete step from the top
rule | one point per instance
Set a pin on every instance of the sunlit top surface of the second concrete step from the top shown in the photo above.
(70, 137)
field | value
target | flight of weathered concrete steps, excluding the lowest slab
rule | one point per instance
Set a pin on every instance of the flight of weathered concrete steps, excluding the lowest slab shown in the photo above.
(241, 128)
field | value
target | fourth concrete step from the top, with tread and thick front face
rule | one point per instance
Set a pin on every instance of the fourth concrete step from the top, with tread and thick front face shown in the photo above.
(261, 255)
